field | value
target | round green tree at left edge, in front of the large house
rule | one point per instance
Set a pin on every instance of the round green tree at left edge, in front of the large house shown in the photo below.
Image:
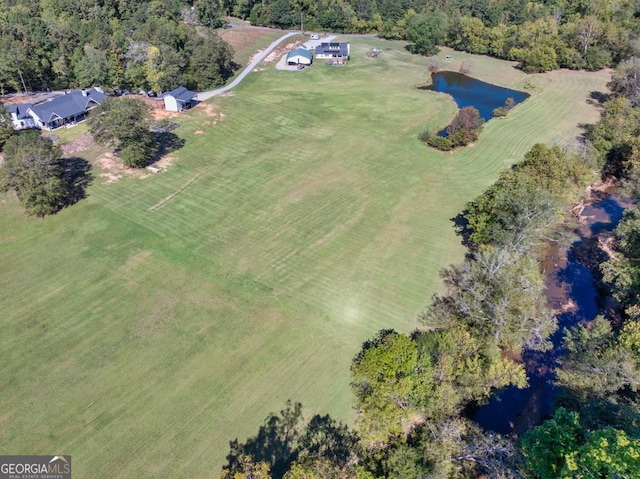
(33, 168)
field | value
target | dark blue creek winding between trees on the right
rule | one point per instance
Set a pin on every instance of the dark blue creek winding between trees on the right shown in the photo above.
(571, 292)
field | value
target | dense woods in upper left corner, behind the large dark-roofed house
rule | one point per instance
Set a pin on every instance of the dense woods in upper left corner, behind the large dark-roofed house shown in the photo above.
(136, 44)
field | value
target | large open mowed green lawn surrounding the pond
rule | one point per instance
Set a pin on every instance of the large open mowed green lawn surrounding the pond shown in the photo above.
(159, 318)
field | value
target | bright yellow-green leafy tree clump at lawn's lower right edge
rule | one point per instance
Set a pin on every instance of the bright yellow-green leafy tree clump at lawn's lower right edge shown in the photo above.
(401, 383)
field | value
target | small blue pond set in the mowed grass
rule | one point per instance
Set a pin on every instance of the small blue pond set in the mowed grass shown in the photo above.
(467, 91)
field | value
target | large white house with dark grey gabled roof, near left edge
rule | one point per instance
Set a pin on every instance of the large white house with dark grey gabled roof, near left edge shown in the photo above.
(64, 110)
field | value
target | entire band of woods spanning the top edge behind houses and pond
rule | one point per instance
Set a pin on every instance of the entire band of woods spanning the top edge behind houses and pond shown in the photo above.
(161, 44)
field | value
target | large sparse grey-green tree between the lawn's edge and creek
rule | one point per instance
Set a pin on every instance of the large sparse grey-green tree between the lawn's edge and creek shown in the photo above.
(499, 296)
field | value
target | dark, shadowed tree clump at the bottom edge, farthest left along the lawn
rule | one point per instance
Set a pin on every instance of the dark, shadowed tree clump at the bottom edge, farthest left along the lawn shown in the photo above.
(285, 438)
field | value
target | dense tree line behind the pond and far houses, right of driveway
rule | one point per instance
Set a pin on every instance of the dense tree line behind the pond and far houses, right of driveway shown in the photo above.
(541, 35)
